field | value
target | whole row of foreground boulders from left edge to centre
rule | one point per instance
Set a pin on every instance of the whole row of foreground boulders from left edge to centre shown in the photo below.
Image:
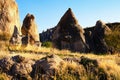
(21, 68)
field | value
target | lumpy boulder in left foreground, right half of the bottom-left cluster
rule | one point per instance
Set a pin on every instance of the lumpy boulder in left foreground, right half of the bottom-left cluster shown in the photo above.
(22, 68)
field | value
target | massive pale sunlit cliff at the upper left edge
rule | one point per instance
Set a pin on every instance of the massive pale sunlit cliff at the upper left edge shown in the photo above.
(9, 17)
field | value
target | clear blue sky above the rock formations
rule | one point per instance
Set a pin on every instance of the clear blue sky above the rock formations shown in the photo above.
(48, 12)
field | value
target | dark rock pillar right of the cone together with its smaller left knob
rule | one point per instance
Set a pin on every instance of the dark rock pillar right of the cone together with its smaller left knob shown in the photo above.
(96, 39)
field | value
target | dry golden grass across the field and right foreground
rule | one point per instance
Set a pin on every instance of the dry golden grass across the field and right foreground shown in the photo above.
(109, 63)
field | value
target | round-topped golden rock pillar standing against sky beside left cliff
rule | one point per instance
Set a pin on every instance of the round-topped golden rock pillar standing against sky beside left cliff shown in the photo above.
(29, 30)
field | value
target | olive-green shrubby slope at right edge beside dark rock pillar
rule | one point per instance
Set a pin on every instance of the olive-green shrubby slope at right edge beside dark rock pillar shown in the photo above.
(113, 39)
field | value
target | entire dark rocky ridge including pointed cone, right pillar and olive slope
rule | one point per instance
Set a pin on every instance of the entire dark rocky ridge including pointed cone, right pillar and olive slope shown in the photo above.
(101, 38)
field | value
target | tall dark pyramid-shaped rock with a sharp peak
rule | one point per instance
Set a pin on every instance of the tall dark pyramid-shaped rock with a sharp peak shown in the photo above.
(69, 34)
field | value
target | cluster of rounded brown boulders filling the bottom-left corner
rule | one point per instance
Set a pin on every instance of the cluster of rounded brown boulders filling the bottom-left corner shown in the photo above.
(17, 67)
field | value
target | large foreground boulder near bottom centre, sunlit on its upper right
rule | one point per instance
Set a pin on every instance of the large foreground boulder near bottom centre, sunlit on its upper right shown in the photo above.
(48, 66)
